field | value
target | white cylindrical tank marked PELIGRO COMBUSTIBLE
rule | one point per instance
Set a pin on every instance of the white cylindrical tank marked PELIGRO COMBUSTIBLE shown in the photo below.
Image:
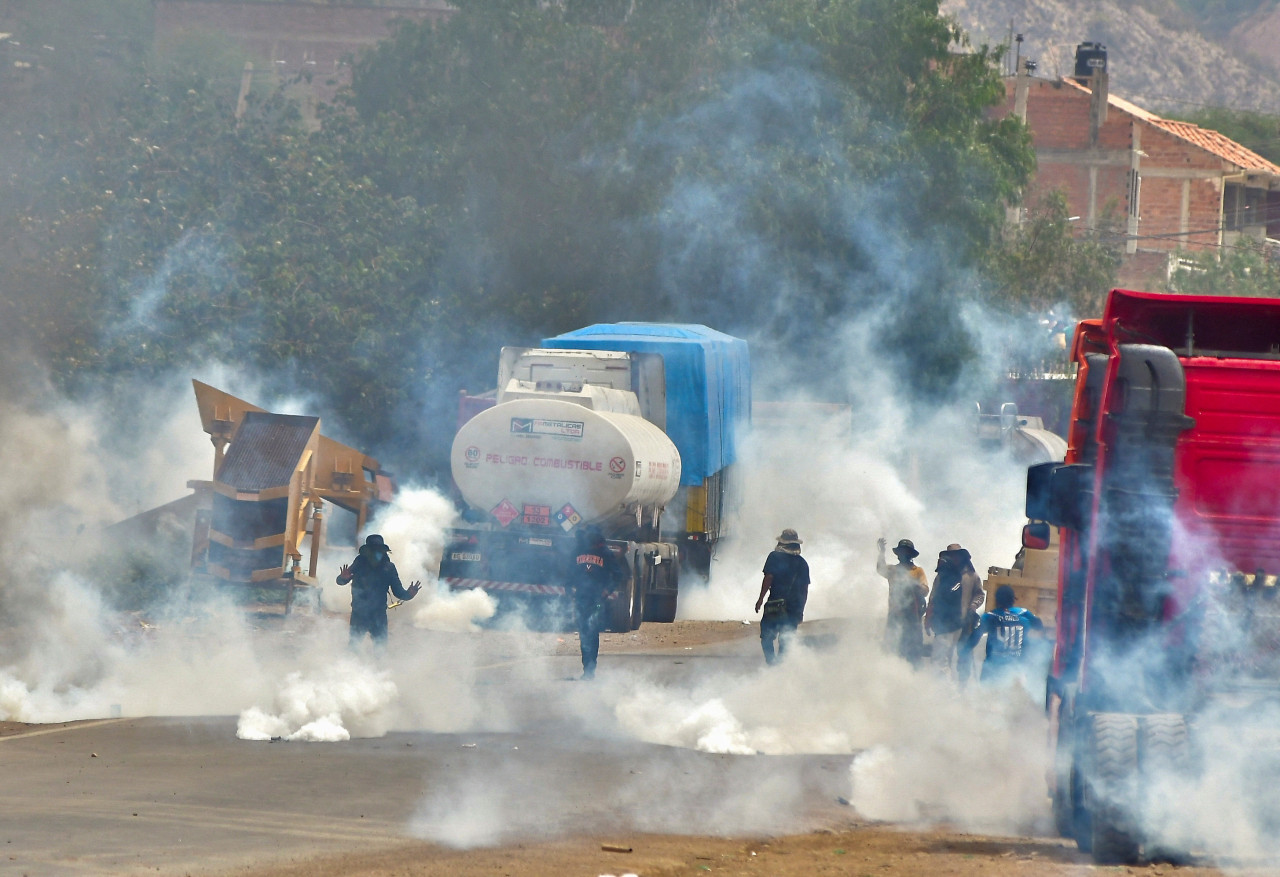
(559, 464)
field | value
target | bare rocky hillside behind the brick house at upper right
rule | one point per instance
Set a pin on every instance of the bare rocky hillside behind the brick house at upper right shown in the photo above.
(1160, 61)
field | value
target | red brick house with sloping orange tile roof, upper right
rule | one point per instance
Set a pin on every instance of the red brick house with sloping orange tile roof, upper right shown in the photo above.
(1169, 186)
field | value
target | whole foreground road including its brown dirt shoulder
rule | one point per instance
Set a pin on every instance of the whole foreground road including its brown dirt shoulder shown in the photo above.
(184, 796)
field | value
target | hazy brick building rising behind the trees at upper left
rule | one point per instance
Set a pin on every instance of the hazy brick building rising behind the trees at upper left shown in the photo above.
(291, 39)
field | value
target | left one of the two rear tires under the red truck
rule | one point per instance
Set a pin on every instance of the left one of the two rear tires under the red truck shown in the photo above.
(1110, 789)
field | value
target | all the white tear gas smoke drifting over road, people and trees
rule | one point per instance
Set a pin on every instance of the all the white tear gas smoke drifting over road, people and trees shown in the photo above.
(921, 750)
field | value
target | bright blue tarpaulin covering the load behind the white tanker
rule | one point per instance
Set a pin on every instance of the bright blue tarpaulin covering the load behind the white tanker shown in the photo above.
(708, 385)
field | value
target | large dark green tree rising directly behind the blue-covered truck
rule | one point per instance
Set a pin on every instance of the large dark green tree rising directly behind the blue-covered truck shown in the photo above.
(749, 167)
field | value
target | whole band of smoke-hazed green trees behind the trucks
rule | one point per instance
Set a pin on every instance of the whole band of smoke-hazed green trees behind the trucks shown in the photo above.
(779, 170)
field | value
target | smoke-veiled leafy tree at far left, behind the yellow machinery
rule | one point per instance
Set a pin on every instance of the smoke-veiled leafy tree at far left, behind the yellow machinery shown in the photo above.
(175, 234)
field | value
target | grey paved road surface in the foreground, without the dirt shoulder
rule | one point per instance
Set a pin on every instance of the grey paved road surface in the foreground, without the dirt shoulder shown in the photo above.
(184, 794)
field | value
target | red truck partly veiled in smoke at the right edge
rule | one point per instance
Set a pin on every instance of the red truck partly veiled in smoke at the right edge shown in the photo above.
(1168, 509)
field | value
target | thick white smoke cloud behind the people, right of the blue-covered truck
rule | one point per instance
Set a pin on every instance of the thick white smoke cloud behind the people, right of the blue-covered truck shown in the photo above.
(844, 491)
